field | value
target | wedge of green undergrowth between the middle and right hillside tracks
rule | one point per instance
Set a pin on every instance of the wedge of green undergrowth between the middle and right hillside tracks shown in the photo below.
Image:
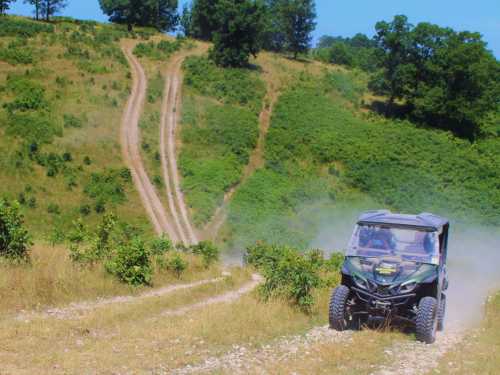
(218, 136)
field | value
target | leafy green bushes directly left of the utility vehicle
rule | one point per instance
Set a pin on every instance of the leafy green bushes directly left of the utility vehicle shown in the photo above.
(293, 274)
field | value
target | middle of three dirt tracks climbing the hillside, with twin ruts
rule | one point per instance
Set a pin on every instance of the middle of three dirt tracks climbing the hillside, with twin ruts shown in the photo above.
(169, 120)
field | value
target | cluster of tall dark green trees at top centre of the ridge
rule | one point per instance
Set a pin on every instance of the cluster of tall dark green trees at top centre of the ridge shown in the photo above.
(240, 28)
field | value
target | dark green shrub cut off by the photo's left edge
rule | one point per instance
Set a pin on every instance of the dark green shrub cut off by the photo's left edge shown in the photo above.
(14, 238)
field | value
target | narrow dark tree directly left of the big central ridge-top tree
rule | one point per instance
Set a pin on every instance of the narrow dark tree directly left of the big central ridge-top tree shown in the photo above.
(203, 18)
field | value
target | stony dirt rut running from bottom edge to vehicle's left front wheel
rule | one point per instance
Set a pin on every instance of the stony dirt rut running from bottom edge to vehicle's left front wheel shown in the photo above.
(244, 360)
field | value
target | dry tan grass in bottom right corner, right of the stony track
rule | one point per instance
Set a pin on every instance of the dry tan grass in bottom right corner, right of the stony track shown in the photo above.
(480, 352)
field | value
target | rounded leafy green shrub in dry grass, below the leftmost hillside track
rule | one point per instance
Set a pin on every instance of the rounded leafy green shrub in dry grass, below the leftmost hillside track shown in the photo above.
(131, 263)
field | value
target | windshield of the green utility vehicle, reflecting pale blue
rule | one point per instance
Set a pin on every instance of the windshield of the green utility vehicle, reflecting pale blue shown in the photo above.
(409, 244)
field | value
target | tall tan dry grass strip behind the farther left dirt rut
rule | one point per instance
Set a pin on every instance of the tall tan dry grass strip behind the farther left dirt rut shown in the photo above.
(52, 280)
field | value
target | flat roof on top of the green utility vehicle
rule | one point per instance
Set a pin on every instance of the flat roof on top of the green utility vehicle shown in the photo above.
(423, 220)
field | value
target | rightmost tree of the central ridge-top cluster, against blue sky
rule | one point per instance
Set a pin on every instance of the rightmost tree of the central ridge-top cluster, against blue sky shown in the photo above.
(297, 18)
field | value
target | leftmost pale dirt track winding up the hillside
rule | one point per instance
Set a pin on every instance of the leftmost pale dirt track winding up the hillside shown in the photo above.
(130, 140)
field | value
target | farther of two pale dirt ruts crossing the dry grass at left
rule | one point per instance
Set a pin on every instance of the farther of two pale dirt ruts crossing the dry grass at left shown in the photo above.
(76, 309)
